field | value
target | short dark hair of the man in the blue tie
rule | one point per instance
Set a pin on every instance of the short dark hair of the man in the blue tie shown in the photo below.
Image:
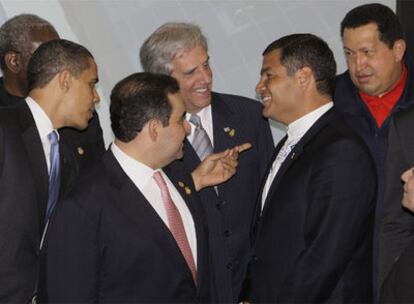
(53, 57)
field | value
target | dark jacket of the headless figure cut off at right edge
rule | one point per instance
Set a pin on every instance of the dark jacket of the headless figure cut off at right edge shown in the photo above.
(397, 223)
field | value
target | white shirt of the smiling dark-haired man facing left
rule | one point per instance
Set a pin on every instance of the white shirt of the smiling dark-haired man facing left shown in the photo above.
(295, 132)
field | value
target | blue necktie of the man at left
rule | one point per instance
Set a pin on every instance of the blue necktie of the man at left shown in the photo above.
(54, 174)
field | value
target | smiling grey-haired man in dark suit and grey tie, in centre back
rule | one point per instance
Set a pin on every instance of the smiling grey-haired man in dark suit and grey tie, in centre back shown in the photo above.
(180, 50)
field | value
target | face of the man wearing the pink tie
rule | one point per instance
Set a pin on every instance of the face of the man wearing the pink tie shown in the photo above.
(173, 135)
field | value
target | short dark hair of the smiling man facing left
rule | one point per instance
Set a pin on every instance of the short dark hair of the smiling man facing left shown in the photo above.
(306, 50)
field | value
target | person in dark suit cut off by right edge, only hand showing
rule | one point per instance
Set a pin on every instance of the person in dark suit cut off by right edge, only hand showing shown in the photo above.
(399, 207)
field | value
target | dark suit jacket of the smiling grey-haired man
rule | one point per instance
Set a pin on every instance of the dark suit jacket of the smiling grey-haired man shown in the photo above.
(236, 120)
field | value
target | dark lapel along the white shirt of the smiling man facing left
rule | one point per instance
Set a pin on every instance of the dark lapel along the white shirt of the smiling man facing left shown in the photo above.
(296, 153)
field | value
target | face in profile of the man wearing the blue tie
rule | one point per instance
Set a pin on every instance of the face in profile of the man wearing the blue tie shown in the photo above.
(82, 97)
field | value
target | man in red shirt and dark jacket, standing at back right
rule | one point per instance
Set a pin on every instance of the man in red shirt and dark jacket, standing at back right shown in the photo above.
(375, 87)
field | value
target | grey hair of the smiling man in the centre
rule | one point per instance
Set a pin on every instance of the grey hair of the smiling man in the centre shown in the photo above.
(162, 46)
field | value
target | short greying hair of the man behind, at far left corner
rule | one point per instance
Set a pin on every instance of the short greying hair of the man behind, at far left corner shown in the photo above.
(16, 34)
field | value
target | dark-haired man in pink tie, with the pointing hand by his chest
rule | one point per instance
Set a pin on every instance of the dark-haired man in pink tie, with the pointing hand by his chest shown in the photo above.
(115, 237)
